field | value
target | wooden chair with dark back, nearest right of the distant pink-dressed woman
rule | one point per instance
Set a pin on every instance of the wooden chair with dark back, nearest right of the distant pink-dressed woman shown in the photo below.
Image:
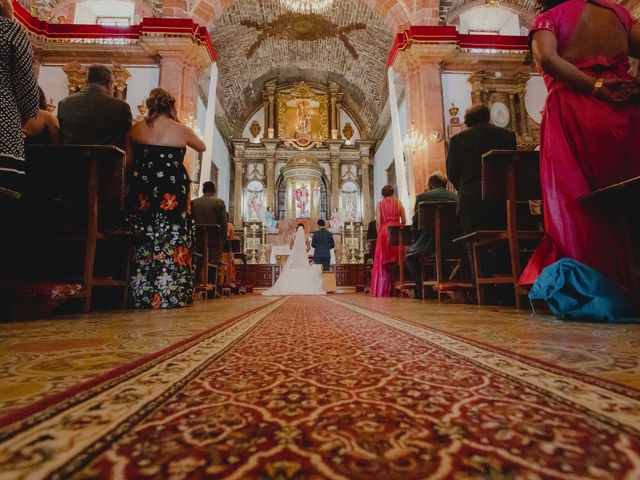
(441, 219)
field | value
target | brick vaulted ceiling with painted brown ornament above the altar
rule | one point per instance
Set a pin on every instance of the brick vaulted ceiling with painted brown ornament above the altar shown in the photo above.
(260, 40)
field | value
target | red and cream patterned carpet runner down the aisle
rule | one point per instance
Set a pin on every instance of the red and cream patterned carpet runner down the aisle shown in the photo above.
(310, 388)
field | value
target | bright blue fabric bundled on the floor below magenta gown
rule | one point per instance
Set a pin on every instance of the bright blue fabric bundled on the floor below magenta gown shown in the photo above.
(575, 291)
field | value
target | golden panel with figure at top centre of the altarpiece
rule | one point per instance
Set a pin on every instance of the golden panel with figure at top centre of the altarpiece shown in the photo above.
(299, 106)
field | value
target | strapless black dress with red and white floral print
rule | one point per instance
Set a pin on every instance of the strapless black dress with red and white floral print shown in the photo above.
(159, 212)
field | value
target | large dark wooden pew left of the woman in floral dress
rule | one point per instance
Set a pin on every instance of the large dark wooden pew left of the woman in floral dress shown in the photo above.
(73, 197)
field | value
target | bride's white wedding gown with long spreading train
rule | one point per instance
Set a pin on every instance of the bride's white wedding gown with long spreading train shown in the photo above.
(298, 277)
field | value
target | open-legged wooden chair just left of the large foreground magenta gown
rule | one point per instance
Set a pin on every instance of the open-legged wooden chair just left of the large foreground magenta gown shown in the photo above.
(509, 176)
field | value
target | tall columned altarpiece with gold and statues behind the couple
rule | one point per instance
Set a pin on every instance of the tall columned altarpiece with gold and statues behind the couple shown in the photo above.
(298, 167)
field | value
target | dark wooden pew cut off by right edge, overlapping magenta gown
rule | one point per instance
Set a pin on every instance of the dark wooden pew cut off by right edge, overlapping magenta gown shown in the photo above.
(622, 200)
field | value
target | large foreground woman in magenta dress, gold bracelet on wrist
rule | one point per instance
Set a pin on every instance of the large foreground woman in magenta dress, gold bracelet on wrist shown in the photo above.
(590, 135)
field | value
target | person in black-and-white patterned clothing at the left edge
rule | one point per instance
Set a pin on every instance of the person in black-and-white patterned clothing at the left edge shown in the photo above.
(18, 103)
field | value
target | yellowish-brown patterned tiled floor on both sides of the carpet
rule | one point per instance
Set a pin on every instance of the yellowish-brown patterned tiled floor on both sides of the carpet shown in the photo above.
(39, 358)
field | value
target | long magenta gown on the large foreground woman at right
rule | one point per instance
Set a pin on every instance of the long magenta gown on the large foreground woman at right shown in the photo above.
(586, 144)
